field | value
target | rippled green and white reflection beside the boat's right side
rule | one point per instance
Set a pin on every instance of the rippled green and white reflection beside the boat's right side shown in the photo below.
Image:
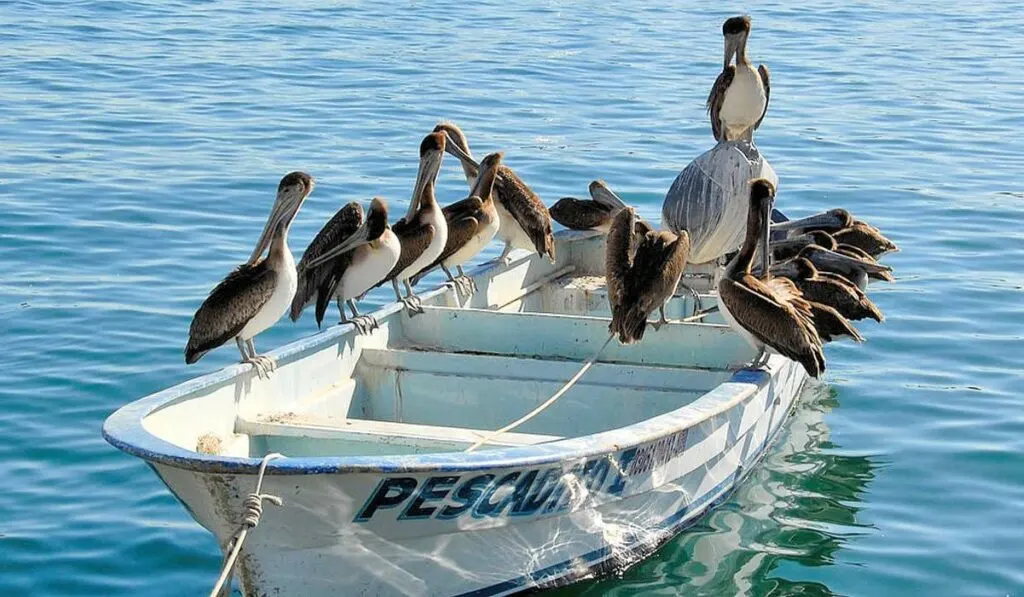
(799, 506)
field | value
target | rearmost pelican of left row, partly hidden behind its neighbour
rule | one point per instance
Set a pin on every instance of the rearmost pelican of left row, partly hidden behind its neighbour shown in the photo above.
(525, 222)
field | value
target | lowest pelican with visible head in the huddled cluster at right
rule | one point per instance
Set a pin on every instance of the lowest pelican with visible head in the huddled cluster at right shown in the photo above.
(830, 289)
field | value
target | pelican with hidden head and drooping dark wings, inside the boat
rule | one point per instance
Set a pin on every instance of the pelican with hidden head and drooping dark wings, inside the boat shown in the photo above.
(643, 281)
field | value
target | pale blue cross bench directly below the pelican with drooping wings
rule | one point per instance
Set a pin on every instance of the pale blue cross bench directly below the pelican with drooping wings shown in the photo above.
(573, 337)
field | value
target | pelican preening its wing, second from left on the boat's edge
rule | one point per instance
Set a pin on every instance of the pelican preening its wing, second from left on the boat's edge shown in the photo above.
(349, 258)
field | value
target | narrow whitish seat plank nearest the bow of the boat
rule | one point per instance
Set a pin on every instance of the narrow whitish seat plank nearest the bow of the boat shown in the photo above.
(301, 425)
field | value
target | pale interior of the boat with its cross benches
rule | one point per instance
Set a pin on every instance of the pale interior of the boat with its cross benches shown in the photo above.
(444, 379)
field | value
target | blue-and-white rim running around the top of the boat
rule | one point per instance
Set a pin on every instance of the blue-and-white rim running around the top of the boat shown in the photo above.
(124, 429)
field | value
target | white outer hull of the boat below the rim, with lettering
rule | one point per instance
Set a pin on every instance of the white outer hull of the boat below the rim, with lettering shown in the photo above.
(476, 531)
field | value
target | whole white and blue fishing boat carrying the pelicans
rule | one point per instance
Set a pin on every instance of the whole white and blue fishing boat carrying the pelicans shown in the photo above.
(380, 497)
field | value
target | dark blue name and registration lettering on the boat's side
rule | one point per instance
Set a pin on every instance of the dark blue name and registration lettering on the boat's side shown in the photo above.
(521, 493)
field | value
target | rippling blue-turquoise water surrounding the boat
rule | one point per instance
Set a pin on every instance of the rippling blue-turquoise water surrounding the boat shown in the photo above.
(143, 142)
